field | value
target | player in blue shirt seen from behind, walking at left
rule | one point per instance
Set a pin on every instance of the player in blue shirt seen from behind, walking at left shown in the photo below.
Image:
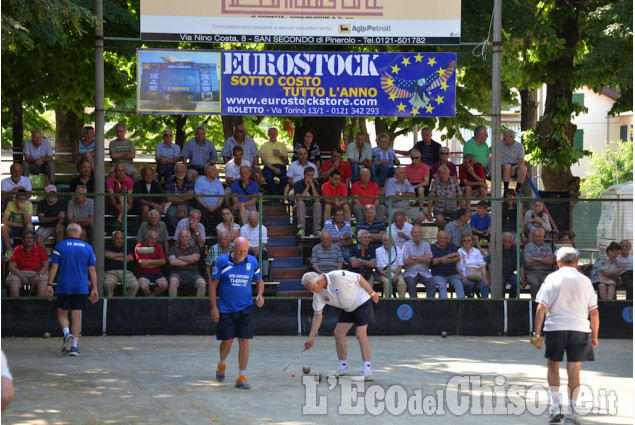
(75, 260)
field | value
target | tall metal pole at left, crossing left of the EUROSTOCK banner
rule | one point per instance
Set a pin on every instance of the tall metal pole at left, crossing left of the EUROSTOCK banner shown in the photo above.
(98, 236)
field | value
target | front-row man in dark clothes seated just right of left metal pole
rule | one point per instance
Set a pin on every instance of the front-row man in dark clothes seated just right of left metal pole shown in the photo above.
(113, 267)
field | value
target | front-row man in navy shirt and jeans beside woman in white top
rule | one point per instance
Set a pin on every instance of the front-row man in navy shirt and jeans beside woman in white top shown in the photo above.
(443, 266)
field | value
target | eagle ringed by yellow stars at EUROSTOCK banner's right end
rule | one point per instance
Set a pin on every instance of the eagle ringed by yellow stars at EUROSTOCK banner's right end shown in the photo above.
(420, 92)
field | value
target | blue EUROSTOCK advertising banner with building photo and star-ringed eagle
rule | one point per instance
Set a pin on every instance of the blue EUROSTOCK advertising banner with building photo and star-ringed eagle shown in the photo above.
(305, 83)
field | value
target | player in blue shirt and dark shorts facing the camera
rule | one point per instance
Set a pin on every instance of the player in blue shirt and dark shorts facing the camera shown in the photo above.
(234, 314)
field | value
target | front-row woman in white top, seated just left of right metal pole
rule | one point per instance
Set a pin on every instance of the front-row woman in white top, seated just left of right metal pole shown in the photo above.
(471, 267)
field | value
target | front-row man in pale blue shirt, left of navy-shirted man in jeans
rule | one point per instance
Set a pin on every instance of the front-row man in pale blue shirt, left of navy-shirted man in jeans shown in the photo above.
(417, 257)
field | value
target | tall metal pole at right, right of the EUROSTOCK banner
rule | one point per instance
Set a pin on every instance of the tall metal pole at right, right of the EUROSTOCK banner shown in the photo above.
(497, 231)
